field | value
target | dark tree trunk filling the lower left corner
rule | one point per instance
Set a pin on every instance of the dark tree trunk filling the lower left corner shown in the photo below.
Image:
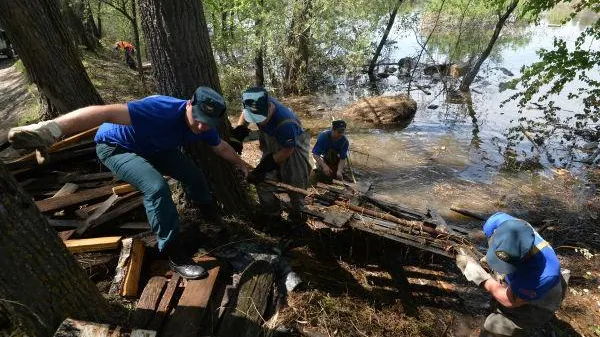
(40, 284)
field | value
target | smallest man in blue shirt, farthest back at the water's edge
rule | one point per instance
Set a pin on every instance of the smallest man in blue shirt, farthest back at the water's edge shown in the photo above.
(330, 152)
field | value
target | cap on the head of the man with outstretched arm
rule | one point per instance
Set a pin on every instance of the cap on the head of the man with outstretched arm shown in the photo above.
(208, 107)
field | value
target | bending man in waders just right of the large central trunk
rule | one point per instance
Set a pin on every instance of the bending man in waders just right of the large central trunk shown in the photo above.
(284, 145)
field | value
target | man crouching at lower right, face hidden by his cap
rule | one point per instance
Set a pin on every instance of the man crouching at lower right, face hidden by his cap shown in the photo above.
(533, 286)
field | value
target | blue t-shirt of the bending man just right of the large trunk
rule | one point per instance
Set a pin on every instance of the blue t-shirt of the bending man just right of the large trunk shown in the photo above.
(286, 133)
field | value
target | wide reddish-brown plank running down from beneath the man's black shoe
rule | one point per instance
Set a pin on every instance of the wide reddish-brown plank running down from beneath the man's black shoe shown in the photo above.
(187, 320)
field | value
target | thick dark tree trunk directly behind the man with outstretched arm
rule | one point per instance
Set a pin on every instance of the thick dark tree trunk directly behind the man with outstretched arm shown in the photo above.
(182, 59)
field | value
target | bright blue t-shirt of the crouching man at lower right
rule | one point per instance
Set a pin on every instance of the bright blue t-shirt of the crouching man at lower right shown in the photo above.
(538, 274)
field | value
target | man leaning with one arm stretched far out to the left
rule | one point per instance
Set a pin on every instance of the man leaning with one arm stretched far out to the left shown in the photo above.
(139, 142)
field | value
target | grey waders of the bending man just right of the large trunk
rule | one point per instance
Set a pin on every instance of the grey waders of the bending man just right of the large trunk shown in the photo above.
(294, 171)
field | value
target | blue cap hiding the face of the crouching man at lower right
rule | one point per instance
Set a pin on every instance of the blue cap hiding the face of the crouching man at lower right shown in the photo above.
(509, 245)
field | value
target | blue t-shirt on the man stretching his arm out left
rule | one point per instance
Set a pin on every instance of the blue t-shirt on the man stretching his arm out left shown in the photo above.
(157, 123)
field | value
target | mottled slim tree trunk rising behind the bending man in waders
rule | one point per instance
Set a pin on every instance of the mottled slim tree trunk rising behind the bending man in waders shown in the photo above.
(296, 64)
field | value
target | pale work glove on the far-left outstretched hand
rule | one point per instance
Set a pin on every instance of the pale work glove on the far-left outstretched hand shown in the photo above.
(38, 137)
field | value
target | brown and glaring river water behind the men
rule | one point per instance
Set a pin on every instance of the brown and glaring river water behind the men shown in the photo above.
(448, 157)
